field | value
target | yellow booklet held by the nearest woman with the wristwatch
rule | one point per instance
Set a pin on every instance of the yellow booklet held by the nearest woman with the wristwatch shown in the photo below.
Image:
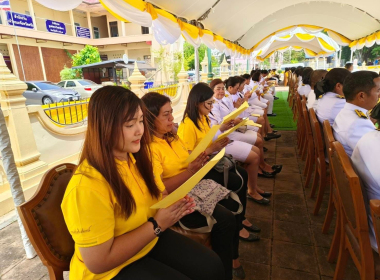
(186, 187)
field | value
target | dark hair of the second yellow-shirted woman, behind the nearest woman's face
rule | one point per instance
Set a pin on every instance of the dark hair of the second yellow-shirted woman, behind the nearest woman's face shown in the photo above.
(153, 102)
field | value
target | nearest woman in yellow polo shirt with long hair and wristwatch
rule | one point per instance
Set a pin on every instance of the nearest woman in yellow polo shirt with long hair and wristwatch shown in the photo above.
(107, 203)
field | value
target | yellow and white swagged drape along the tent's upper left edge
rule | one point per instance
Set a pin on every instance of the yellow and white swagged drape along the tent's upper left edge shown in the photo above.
(167, 28)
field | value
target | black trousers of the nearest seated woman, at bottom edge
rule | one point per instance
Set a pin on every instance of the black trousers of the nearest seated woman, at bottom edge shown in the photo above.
(175, 257)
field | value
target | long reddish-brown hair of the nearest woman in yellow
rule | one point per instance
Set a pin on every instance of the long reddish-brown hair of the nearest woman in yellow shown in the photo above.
(109, 108)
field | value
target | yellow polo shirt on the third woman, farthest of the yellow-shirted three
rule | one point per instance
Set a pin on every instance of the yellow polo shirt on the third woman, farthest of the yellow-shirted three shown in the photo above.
(190, 134)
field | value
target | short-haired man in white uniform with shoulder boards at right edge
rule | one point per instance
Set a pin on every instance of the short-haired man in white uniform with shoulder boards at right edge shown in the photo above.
(362, 90)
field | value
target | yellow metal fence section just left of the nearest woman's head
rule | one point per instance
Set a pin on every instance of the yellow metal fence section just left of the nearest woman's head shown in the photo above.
(67, 113)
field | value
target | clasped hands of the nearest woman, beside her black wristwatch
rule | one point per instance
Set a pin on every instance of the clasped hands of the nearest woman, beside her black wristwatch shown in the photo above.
(166, 217)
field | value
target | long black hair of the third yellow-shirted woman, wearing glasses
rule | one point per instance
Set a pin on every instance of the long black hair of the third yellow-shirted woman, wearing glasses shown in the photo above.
(201, 92)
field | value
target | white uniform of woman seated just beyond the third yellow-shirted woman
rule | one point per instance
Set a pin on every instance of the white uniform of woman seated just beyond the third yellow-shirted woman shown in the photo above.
(239, 149)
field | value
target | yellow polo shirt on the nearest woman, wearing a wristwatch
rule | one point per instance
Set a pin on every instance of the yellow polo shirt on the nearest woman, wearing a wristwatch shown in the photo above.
(91, 213)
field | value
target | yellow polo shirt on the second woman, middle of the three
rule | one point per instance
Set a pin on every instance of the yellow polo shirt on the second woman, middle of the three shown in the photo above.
(169, 159)
